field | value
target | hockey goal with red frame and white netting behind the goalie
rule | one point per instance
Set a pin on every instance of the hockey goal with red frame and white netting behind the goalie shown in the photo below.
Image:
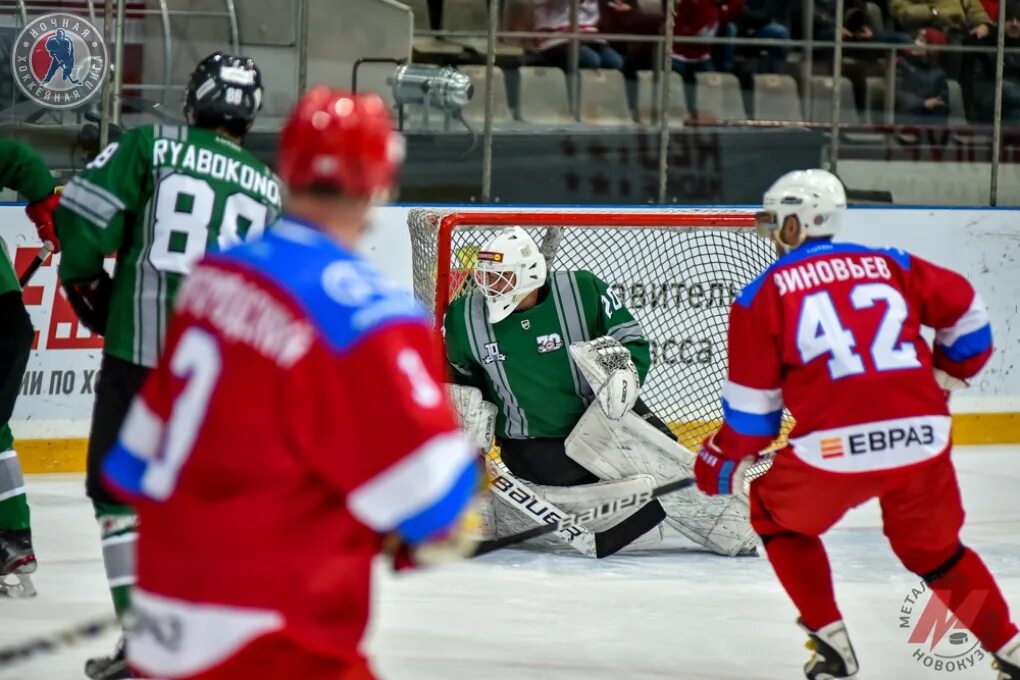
(678, 271)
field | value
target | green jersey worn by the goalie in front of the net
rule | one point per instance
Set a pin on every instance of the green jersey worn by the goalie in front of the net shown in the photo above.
(523, 364)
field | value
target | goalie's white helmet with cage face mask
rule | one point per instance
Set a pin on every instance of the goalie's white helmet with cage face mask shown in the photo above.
(509, 268)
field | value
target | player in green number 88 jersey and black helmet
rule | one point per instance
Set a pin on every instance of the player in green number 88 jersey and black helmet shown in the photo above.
(159, 198)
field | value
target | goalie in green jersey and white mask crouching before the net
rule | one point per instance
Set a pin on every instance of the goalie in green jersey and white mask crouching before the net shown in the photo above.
(550, 364)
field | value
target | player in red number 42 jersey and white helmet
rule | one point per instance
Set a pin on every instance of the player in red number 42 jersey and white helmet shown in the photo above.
(833, 332)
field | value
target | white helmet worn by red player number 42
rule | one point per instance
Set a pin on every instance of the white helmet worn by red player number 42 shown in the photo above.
(817, 197)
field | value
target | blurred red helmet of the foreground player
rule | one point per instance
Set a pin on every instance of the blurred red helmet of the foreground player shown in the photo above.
(338, 140)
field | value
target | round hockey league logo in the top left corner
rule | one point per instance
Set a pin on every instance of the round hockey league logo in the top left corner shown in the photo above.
(60, 61)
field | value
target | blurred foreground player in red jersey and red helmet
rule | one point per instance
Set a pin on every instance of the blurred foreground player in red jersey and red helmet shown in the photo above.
(295, 423)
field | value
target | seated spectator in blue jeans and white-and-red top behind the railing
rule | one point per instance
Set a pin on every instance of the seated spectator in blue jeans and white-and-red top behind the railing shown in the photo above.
(554, 17)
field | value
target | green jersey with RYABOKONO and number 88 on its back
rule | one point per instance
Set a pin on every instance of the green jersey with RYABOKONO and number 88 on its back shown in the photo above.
(159, 199)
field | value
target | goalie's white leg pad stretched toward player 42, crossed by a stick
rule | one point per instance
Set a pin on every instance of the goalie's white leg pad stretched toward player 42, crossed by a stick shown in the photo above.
(632, 447)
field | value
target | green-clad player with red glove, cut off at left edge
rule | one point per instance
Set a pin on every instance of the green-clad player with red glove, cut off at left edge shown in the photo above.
(23, 171)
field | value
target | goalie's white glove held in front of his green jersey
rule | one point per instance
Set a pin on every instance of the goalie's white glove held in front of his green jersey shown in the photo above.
(611, 374)
